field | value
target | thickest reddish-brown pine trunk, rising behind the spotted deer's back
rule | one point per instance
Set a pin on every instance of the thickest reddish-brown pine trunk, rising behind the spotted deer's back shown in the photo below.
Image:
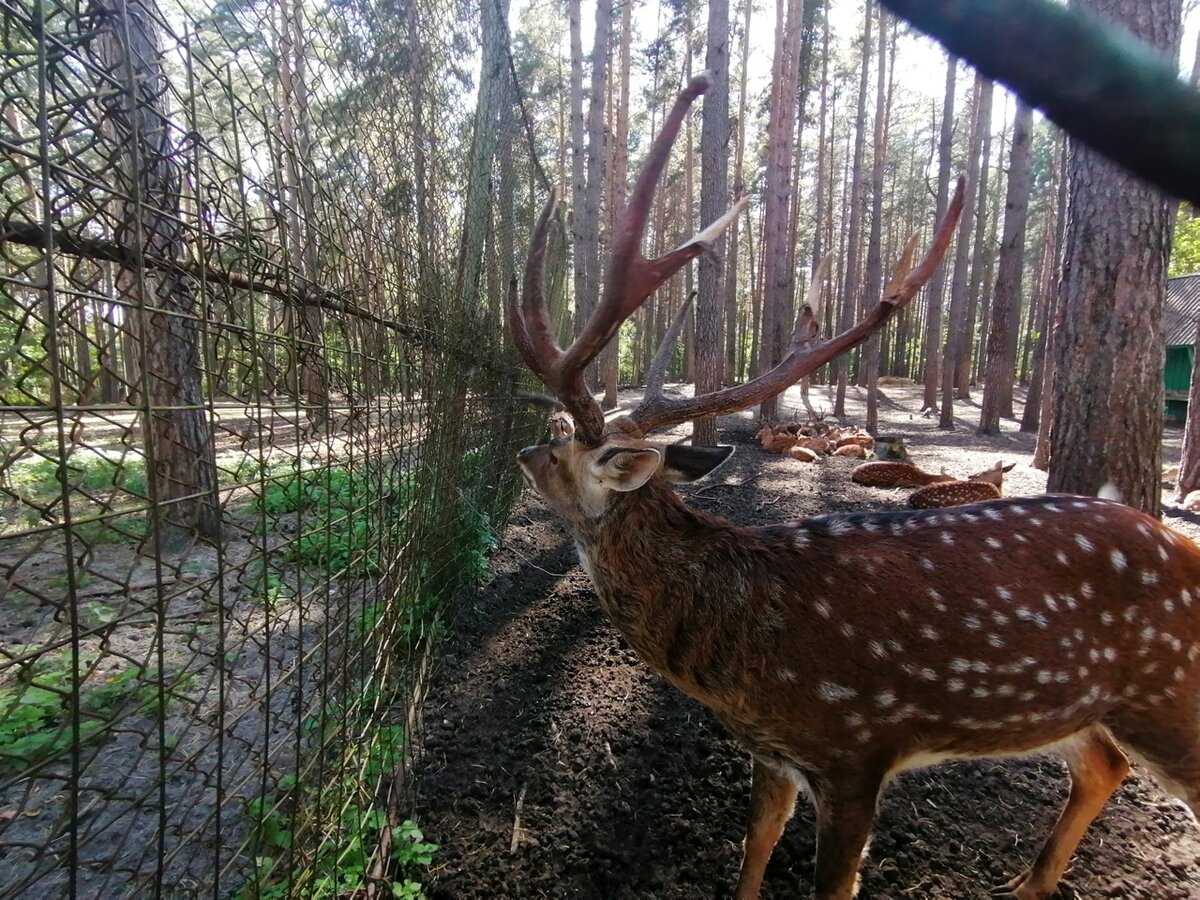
(1108, 411)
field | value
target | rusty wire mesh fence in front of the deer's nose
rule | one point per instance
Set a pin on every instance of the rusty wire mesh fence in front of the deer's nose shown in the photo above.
(256, 430)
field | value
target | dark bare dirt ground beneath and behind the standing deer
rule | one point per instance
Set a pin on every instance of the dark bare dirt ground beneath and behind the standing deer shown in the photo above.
(557, 765)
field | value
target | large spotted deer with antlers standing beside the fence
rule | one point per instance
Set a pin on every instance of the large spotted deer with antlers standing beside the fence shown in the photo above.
(1070, 625)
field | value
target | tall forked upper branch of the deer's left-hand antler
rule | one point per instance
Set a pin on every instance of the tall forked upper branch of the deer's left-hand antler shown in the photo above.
(632, 278)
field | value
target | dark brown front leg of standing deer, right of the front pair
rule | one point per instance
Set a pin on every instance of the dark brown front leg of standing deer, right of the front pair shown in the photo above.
(845, 814)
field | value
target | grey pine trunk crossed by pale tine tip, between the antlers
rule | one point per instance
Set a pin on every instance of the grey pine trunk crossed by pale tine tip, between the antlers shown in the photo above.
(715, 141)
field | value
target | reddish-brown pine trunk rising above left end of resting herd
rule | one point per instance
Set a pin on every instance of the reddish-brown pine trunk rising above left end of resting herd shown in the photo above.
(778, 277)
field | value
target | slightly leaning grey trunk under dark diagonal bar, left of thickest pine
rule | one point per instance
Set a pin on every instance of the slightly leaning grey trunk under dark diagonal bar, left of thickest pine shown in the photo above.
(1006, 299)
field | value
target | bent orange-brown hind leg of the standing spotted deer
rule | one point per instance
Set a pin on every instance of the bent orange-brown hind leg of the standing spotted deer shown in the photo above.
(1097, 769)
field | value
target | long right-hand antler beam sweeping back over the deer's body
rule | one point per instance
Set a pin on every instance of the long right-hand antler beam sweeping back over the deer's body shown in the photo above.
(802, 361)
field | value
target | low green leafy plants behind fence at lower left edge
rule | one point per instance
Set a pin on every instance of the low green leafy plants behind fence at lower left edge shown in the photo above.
(35, 722)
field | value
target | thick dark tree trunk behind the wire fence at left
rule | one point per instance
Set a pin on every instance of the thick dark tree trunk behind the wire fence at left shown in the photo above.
(166, 346)
